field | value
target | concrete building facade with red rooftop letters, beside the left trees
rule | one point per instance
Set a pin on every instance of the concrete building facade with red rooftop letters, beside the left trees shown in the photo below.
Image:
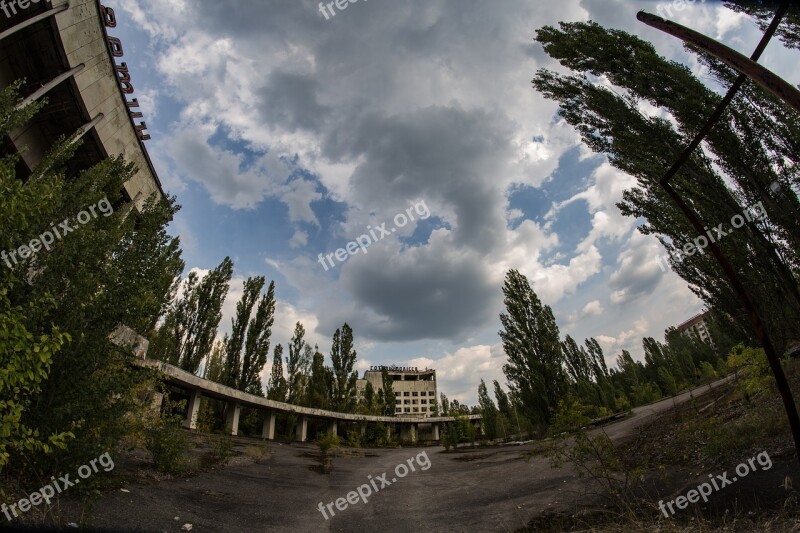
(65, 54)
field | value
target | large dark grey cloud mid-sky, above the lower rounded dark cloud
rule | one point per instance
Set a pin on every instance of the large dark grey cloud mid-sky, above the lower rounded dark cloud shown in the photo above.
(445, 154)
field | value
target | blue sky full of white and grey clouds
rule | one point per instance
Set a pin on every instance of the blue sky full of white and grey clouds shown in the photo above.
(286, 135)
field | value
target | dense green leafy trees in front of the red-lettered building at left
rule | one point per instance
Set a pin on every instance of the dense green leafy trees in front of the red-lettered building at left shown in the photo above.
(116, 269)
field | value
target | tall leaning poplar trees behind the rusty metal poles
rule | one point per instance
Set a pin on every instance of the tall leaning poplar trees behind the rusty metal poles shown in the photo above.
(749, 154)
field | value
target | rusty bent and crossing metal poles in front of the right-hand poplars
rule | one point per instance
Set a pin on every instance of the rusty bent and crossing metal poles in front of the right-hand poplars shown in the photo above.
(766, 79)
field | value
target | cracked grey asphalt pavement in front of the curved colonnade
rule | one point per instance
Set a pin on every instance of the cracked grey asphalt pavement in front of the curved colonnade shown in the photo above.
(496, 490)
